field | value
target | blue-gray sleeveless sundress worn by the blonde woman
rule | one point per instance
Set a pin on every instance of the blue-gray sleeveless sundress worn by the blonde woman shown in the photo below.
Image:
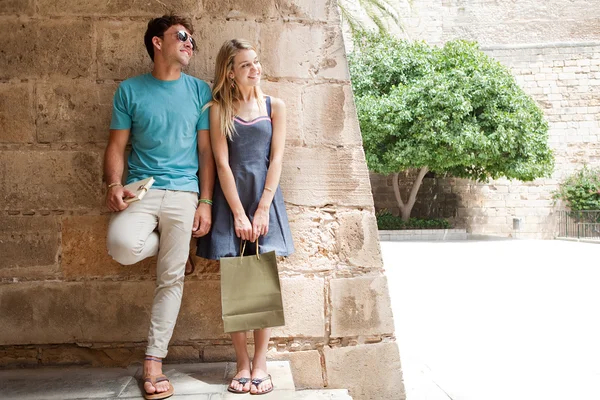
(249, 154)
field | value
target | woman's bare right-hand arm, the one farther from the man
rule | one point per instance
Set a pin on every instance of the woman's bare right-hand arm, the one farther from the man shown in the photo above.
(260, 222)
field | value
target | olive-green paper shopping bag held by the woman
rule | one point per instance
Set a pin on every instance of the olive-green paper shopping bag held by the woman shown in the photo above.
(250, 291)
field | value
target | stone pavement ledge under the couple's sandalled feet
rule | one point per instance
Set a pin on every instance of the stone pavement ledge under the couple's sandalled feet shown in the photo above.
(191, 381)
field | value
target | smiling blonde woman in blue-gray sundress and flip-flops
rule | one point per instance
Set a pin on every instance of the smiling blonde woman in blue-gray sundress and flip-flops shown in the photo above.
(247, 131)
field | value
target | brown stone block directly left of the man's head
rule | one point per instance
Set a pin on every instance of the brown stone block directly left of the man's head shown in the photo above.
(120, 49)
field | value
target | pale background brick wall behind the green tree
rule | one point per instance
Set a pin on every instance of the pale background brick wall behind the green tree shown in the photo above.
(553, 49)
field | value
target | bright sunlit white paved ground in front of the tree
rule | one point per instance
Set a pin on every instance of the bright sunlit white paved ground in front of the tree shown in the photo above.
(487, 320)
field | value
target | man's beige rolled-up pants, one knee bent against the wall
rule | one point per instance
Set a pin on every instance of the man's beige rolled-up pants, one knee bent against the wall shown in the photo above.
(161, 223)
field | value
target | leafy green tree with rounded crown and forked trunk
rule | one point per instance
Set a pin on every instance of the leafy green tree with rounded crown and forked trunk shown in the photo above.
(449, 109)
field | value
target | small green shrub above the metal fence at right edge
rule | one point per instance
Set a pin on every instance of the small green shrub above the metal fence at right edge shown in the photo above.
(580, 191)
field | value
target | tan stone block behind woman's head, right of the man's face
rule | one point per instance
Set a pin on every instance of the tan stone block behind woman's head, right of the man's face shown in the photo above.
(210, 35)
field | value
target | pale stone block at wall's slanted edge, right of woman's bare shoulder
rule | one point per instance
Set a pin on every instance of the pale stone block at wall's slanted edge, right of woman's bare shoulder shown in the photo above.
(330, 110)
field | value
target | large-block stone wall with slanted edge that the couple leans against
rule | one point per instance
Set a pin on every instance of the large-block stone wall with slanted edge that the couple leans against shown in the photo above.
(64, 301)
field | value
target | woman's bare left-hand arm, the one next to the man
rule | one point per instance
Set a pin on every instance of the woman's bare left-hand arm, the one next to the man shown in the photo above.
(242, 226)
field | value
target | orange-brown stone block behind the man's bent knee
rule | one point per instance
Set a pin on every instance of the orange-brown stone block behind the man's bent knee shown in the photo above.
(84, 252)
